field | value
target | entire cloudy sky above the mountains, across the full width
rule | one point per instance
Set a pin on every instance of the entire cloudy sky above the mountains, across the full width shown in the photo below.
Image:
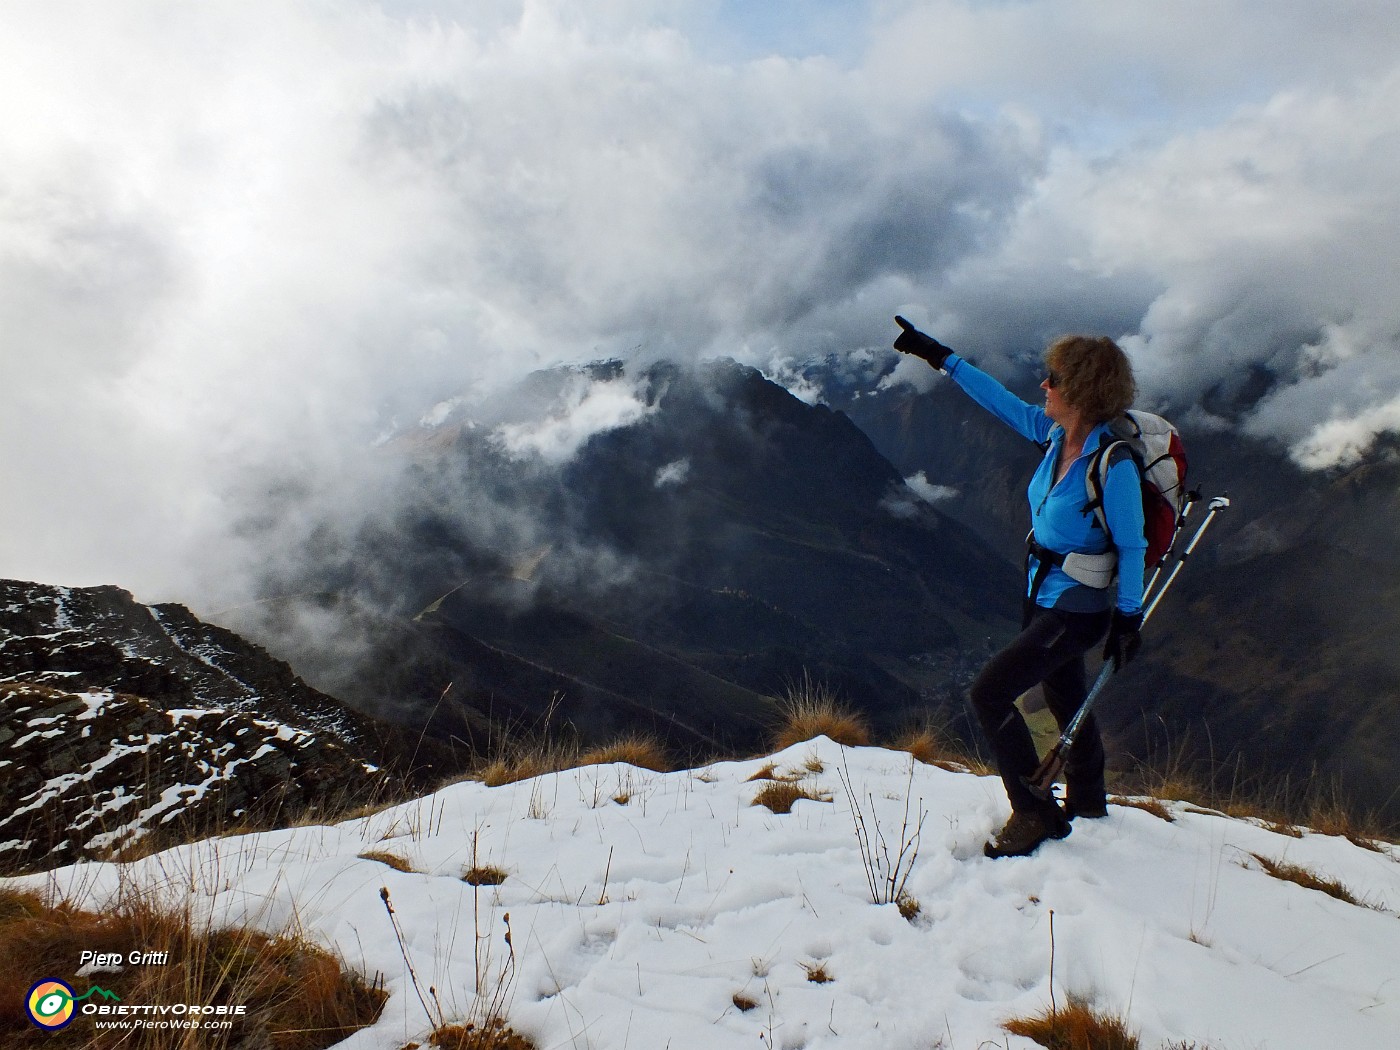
(240, 244)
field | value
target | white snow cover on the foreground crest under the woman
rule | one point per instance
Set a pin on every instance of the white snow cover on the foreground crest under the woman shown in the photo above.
(638, 925)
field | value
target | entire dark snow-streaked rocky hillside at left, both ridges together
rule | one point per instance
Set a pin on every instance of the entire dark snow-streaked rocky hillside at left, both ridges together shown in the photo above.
(122, 723)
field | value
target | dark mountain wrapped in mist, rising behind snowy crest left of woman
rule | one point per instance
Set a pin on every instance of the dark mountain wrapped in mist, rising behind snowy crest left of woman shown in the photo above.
(724, 527)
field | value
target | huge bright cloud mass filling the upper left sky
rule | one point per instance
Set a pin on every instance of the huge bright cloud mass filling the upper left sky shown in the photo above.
(237, 247)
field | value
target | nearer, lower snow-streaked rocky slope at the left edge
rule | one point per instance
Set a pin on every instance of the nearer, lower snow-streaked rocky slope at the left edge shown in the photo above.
(92, 773)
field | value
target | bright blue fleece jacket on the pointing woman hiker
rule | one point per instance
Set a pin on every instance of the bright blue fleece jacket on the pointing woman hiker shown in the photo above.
(1058, 512)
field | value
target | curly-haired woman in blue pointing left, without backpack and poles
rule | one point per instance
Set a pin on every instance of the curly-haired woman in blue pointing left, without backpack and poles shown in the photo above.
(1070, 603)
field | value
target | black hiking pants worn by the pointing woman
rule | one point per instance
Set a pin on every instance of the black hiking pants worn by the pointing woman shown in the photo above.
(1049, 652)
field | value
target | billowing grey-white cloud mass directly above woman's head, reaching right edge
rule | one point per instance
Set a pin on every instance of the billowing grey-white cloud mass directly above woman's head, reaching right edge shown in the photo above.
(1247, 268)
